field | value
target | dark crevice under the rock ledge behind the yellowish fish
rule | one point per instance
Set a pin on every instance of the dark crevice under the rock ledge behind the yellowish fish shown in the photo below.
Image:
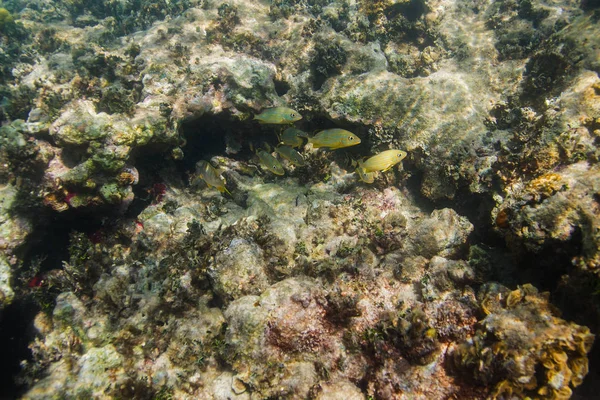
(221, 135)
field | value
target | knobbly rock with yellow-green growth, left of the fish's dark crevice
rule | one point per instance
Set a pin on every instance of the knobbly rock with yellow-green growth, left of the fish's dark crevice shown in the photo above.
(101, 144)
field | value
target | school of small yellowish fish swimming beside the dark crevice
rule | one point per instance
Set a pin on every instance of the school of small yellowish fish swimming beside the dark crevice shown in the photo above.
(293, 138)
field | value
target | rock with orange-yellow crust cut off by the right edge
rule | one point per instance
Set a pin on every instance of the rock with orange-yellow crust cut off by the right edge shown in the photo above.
(556, 211)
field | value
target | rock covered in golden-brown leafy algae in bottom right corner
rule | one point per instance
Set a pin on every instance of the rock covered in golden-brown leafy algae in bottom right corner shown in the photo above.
(522, 348)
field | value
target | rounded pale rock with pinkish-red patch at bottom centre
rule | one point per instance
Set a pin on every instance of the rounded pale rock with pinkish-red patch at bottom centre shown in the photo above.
(287, 318)
